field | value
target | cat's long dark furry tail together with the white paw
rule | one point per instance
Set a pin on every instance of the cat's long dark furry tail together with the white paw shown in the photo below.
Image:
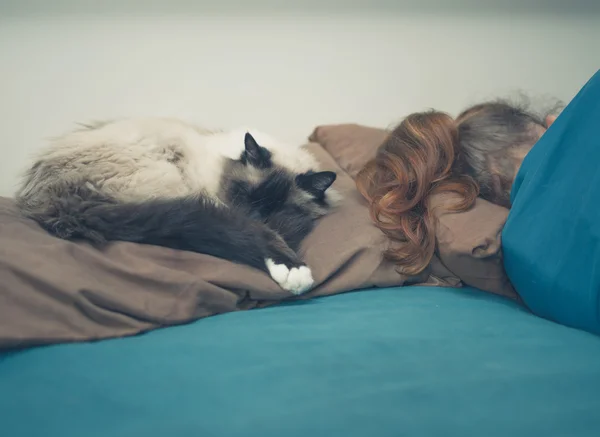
(193, 223)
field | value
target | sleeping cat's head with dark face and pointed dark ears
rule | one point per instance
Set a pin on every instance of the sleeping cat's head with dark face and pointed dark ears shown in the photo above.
(264, 184)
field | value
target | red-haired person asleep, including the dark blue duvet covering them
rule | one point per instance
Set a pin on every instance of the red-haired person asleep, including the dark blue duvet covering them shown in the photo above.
(551, 240)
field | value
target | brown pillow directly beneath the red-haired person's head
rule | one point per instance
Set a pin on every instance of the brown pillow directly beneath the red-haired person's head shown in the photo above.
(468, 243)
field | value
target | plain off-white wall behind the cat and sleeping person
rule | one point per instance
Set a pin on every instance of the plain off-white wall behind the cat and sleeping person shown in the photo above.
(283, 69)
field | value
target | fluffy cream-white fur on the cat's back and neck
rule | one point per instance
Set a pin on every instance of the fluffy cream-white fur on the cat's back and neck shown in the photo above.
(130, 159)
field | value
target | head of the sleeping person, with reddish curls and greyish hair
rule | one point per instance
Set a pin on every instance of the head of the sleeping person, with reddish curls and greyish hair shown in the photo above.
(430, 153)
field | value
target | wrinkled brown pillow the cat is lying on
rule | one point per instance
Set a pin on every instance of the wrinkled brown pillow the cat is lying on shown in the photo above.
(52, 290)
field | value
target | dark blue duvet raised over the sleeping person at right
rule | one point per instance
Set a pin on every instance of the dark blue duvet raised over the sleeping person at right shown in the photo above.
(551, 240)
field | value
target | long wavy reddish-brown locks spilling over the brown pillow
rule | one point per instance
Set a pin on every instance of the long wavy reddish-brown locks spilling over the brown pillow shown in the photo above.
(415, 162)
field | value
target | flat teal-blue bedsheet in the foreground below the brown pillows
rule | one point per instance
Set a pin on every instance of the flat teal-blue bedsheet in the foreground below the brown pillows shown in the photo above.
(380, 363)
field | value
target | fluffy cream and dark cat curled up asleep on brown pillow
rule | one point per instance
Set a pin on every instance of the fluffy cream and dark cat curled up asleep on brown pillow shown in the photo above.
(169, 183)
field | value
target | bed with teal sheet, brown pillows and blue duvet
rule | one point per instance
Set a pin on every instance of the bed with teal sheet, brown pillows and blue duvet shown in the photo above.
(367, 353)
